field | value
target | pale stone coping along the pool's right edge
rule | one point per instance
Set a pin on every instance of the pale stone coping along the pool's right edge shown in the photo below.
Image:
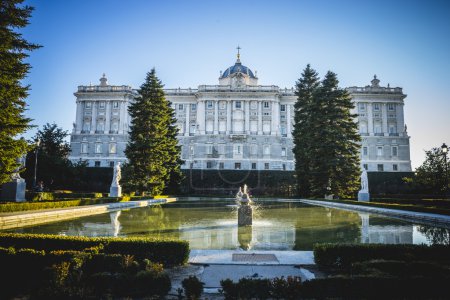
(421, 217)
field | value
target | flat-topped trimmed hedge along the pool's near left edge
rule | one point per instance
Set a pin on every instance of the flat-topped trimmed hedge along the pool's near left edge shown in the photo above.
(167, 252)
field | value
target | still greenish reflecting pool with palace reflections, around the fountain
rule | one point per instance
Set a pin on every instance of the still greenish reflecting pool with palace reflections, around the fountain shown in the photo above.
(277, 225)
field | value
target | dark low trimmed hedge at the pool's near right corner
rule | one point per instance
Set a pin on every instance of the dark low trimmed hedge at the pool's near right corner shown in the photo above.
(343, 255)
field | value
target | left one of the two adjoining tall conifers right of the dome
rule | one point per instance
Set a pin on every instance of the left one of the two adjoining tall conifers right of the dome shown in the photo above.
(306, 87)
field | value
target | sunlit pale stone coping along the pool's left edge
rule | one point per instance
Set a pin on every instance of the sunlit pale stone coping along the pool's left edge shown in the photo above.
(35, 217)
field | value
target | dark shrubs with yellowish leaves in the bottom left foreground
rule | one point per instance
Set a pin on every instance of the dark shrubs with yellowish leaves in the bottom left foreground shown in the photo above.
(77, 274)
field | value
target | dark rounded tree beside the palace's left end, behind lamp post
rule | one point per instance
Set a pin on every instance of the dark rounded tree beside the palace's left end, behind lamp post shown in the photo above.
(54, 167)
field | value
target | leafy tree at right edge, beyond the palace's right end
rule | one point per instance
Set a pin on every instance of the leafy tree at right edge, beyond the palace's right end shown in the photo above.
(431, 176)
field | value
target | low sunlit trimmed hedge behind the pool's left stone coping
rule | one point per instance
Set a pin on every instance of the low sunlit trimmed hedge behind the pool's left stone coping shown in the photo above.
(23, 206)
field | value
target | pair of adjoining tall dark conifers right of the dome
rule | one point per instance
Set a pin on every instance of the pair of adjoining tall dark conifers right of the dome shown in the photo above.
(325, 136)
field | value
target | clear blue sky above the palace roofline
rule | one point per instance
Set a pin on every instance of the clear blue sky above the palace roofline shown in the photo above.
(406, 43)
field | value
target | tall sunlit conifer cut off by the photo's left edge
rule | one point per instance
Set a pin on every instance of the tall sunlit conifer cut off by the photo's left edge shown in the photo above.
(13, 50)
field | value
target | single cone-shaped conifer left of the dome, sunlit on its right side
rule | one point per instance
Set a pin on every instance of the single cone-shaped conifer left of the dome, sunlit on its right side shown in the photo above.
(152, 151)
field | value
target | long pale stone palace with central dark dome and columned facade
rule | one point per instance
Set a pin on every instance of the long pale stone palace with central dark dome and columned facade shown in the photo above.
(236, 124)
